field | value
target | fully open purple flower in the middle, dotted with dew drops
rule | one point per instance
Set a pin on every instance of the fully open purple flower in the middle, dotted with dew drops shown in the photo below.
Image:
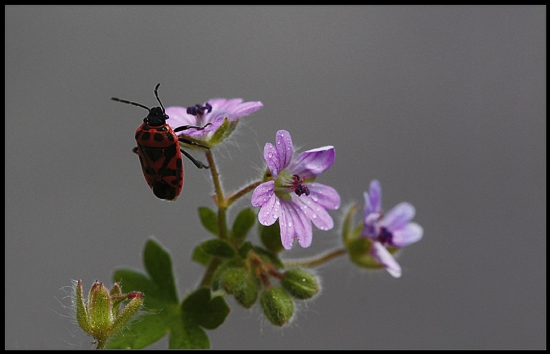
(292, 196)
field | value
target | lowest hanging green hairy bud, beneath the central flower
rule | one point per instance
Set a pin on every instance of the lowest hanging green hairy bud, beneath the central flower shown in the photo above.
(277, 305)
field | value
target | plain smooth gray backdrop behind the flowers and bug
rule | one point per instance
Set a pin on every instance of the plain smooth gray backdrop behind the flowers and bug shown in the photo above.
(444, 105)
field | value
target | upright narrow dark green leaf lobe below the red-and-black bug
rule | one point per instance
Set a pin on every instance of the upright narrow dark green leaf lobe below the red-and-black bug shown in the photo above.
(158, 264)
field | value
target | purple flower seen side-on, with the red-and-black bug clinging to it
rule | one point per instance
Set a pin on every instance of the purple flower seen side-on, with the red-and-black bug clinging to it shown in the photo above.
(221, 114)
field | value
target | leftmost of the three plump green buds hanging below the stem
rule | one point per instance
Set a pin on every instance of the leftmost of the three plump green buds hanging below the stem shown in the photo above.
(243, 286)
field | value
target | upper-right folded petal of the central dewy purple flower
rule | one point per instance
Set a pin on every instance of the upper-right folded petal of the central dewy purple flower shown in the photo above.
(312, 163)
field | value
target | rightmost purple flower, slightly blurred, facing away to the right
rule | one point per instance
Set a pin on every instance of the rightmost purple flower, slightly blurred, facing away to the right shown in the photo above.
(392, 229)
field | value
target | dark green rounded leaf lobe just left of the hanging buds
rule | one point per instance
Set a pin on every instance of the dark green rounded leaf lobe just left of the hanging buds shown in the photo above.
(203, 310)
